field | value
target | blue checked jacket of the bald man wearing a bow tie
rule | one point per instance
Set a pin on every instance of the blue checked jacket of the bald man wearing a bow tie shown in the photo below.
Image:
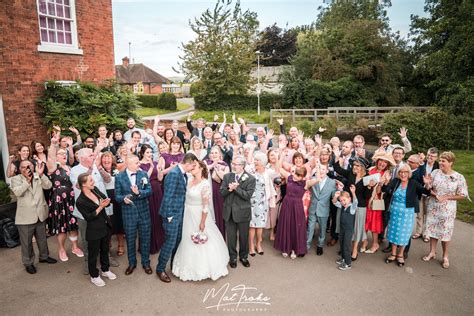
(123, 188)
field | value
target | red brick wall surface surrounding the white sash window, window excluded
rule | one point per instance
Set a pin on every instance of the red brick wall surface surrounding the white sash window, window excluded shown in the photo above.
(23, 70)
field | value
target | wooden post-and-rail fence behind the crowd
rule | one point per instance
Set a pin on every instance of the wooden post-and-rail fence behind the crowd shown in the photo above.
(372, 113)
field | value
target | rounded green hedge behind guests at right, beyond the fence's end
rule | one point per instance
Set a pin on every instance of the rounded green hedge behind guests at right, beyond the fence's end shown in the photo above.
(435, 127)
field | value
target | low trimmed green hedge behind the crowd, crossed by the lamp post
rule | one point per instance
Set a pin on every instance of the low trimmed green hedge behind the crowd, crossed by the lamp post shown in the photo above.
(237, 102)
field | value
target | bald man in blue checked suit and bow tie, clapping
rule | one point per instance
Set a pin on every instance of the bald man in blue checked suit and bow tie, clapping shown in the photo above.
(132, 189)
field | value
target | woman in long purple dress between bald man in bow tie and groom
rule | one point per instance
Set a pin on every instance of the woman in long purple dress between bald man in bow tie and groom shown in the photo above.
(155, 175)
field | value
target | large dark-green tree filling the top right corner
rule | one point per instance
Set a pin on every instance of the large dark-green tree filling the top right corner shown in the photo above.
(444, 53)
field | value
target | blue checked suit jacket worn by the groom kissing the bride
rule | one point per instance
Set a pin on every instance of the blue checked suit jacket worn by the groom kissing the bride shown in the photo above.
(174, 194)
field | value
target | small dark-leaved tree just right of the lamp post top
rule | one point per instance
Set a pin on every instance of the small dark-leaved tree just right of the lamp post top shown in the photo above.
(276, 45)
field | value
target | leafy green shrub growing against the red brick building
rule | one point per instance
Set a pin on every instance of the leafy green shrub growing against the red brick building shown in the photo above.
(86, 106)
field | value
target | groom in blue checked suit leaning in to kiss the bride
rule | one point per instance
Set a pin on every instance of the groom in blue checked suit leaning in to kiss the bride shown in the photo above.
(171, 211)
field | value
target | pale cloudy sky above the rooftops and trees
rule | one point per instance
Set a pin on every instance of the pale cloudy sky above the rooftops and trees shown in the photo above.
(156, 28)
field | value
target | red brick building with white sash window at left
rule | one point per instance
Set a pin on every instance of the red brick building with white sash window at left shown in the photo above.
(43, 40)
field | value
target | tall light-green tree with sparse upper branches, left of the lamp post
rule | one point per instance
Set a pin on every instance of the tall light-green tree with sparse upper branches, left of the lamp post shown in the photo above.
(221, 56)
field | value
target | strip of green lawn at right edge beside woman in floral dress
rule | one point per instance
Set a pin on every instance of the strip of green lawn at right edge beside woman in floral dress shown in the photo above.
(463, 165)
